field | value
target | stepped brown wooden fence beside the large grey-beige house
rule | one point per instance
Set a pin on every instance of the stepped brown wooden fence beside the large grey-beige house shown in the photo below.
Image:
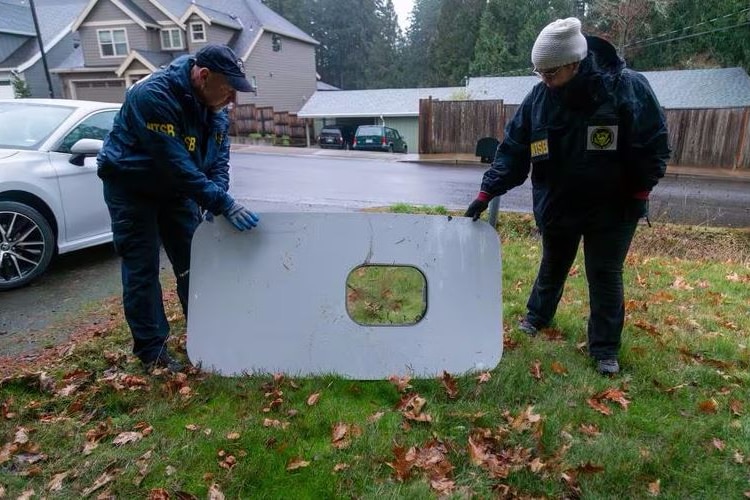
(246, 119)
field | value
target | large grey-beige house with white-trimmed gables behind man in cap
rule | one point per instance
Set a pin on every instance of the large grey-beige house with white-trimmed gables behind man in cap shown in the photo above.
(122, 41)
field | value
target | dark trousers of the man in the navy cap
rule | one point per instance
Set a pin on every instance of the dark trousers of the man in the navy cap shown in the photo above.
(140, 225)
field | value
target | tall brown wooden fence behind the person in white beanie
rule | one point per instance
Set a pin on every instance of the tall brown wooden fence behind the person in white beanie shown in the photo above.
(706, 138)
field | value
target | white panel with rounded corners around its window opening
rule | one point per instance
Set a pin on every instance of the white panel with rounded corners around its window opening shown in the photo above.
(274, 299)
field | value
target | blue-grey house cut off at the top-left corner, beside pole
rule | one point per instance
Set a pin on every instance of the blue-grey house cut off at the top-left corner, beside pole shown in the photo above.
(19, 48)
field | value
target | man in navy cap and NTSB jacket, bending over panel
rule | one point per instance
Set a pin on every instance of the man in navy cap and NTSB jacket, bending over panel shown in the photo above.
(166, 161)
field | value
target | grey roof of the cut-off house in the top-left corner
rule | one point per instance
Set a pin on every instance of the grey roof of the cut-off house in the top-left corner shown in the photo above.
(55, 20)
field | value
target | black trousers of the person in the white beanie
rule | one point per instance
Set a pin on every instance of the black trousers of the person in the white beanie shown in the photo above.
(605, 248)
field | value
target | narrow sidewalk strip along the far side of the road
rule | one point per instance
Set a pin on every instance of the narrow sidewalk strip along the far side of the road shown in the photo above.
(463, 159)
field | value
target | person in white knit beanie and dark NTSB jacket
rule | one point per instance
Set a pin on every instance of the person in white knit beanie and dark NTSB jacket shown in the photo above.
(597, 139)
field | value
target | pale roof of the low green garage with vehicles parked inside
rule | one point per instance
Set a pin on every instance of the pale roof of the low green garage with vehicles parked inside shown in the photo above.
(380, 102)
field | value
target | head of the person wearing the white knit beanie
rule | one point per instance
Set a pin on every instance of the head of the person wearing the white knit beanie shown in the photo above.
(559, 47)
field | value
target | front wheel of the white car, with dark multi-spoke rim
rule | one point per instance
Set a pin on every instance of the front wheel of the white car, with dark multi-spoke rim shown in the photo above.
(27, 244)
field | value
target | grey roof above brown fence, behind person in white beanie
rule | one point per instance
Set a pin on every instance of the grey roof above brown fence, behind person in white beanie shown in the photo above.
(677, 89)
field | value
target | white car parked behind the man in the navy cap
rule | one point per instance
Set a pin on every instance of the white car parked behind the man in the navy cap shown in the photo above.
(51, 199)
